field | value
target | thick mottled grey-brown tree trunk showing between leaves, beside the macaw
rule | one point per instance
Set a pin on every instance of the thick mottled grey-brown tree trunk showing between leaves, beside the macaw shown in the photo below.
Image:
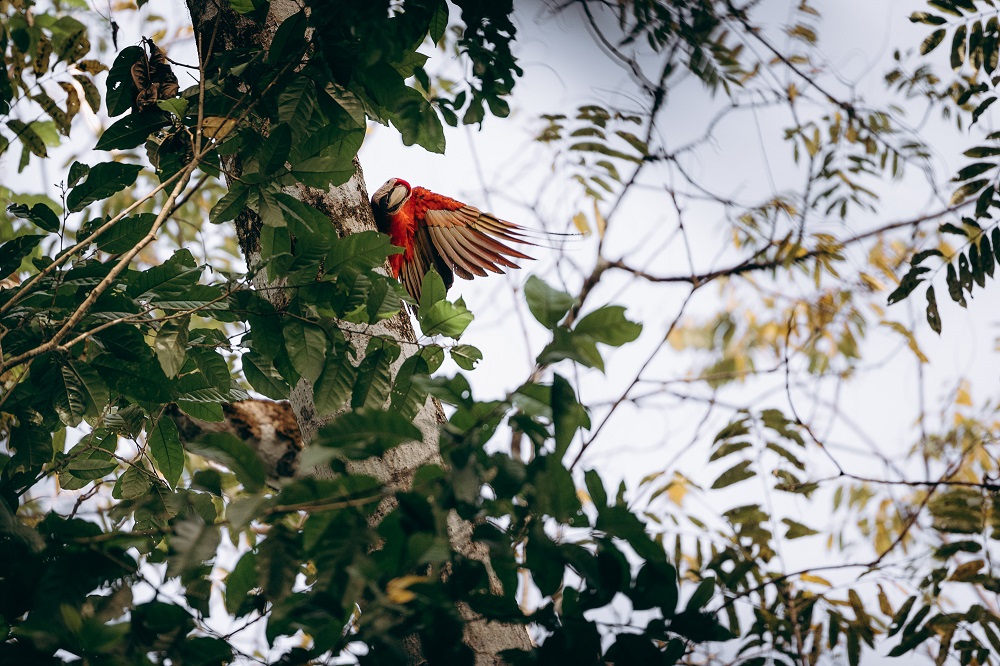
(266, 427)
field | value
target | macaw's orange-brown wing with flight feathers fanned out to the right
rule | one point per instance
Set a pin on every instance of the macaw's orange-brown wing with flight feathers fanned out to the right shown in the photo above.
(472, 242)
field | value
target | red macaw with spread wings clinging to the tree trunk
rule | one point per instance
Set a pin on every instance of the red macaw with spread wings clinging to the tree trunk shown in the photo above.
(434, 230)
